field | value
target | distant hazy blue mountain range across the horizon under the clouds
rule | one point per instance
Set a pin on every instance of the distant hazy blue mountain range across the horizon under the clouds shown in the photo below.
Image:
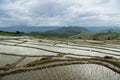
(24, 28)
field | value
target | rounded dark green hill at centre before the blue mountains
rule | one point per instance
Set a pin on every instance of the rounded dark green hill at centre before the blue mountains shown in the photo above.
(65, 31)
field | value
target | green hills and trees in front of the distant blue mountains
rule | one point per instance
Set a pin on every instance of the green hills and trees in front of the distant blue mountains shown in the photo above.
(68, 33)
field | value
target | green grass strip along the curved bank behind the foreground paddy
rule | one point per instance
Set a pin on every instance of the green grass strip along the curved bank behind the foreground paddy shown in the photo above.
(46, 61)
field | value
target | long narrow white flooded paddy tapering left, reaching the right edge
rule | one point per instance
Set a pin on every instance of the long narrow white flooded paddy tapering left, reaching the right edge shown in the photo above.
(69, 50)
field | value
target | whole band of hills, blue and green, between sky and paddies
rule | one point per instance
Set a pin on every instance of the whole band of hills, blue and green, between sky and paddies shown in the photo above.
(66, 32)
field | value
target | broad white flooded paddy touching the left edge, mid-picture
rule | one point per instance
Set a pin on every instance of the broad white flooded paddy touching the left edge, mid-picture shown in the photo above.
(23, 50)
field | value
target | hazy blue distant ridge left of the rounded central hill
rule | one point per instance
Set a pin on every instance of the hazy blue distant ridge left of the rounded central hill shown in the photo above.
(23, 28)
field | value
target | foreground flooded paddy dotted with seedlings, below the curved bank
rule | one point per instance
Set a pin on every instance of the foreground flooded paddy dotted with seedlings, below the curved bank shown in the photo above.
(71, 72)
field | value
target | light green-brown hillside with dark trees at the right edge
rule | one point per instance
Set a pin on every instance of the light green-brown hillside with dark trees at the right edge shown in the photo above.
(110, 35)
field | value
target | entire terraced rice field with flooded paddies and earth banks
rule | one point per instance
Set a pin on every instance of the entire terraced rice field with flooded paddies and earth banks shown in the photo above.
(28, 58)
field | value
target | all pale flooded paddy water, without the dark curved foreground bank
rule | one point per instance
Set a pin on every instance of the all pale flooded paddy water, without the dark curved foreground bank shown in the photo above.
(11, 50)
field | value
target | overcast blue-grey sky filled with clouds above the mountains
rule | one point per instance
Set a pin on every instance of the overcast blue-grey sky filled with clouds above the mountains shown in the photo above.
(59, 12)
